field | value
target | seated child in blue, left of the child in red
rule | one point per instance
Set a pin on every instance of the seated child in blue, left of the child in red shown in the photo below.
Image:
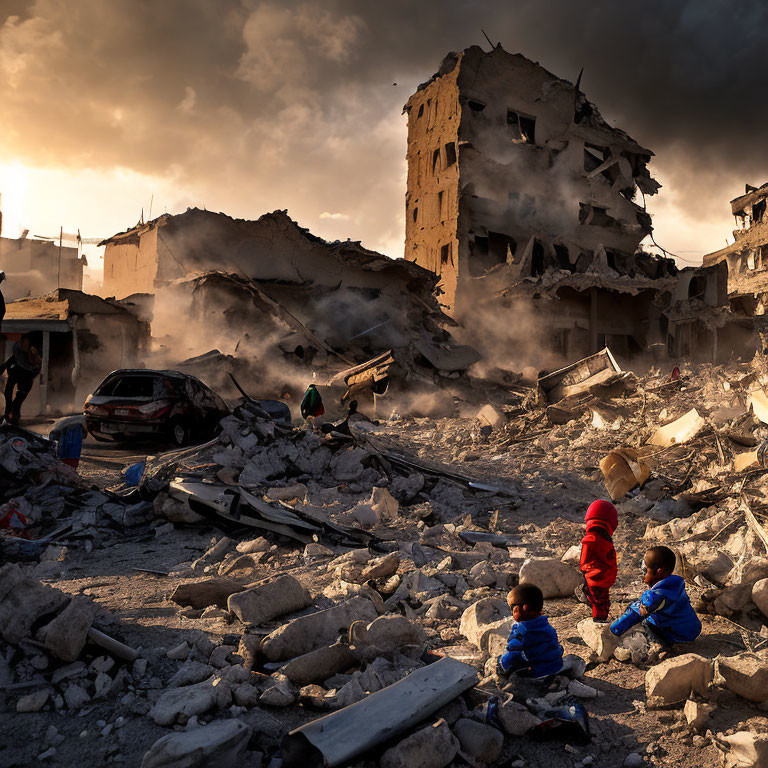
(533, 647)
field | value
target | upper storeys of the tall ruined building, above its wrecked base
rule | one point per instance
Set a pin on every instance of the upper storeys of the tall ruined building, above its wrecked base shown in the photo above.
(511, 168)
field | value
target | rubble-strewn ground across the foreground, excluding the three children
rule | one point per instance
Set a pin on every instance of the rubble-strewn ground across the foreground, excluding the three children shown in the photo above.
(251, 600)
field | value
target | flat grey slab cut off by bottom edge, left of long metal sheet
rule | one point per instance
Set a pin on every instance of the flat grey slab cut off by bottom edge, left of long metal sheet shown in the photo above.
(221, 743)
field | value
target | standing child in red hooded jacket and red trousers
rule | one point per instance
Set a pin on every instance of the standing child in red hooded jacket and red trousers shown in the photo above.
(598, 557)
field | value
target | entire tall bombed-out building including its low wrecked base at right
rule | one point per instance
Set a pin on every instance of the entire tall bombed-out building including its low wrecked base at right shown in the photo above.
(522, 198)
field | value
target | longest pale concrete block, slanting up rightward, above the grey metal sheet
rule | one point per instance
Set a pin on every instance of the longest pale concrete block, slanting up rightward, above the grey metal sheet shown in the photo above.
(307, 633)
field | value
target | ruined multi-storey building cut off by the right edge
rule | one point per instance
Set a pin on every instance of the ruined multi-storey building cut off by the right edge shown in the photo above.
(745, 261)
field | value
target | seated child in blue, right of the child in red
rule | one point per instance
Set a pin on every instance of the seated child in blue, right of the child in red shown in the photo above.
(664, 609)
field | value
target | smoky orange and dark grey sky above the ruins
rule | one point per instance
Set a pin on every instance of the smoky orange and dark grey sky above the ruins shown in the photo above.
(246, 106)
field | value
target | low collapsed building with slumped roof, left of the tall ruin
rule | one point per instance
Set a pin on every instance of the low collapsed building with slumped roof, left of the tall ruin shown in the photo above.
(269, 289)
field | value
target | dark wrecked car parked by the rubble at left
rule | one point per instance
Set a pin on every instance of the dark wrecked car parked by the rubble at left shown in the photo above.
(166, 405)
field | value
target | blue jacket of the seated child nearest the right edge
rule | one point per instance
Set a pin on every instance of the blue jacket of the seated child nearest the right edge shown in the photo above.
(666, 607)
